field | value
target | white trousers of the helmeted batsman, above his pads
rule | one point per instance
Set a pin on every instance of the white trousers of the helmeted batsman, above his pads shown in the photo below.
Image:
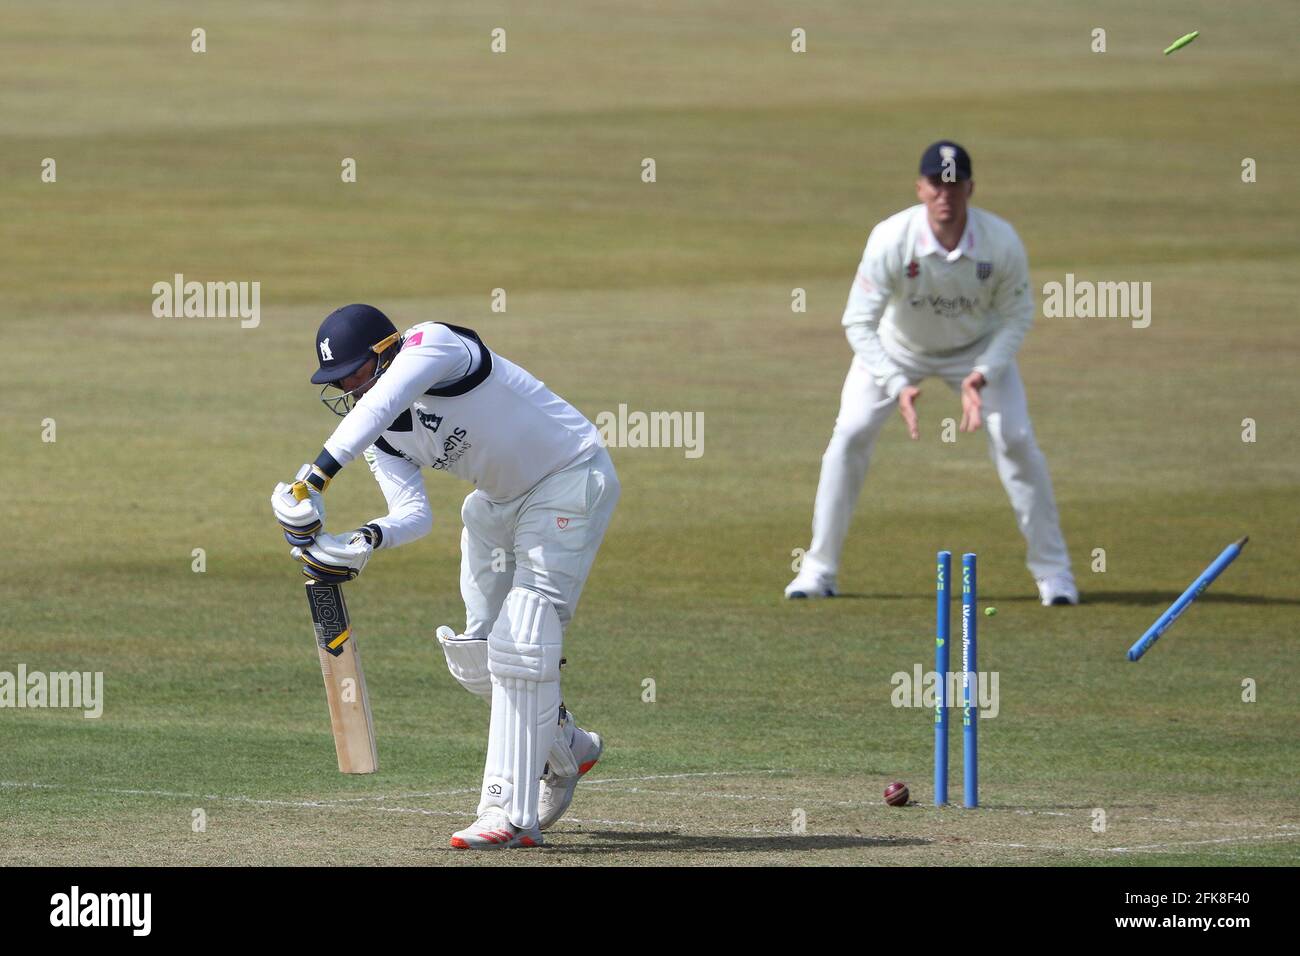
(547, 540)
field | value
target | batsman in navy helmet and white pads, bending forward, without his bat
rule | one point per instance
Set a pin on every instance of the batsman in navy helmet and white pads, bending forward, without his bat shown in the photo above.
(436, 397)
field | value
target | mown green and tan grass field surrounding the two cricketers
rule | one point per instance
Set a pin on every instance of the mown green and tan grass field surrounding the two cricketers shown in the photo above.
(522, 171)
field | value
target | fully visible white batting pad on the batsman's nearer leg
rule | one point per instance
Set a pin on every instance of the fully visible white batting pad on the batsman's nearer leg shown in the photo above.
(525, 661)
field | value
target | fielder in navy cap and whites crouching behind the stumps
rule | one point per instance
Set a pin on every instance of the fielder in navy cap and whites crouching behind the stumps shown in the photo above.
(943, 291)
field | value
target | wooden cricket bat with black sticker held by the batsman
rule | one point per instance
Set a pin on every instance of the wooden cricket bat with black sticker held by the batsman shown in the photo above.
(345, 681)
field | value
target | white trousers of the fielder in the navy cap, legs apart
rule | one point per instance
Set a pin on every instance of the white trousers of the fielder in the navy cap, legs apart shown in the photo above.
(865, 408)
